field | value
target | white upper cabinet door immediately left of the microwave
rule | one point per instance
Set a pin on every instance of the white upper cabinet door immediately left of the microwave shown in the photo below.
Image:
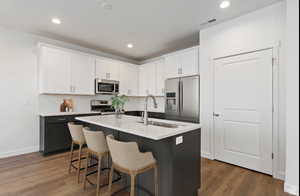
(82, 74)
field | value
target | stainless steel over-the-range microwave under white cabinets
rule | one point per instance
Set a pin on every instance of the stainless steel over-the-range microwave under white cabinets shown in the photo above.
(107, 87)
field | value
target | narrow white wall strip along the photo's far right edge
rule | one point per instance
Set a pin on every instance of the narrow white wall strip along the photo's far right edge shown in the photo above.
(292, 98)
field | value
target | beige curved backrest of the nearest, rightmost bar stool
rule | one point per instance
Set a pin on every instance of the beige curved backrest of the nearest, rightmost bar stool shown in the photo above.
(123, 154)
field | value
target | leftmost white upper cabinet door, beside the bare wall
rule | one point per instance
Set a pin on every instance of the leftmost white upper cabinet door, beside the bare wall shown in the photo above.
(54, 66)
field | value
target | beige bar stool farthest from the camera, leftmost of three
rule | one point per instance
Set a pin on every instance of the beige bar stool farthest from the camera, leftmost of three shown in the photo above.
(77, 139)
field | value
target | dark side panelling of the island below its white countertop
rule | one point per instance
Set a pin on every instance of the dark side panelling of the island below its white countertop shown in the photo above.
(179, 165)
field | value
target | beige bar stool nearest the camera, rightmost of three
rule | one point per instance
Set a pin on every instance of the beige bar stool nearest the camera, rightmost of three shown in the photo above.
(129, 160)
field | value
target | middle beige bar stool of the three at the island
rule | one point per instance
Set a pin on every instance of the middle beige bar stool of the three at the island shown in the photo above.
(97, 147)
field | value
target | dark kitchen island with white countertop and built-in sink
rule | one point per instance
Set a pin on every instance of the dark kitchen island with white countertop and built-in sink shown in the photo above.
(175, 145)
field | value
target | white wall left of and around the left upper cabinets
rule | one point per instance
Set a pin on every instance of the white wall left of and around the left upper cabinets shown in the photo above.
(20, 102)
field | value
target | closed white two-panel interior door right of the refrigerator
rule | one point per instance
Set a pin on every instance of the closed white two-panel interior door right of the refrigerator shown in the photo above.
(243, 110)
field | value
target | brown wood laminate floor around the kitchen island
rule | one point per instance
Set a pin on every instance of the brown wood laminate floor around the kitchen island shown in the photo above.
(35, 175)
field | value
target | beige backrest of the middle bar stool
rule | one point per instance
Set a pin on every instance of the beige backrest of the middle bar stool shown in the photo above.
(95, 141)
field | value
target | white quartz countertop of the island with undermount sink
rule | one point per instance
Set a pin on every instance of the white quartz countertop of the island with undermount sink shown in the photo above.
(131, 125)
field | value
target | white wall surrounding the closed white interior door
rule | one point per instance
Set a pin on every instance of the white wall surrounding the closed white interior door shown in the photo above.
(258, 30)
